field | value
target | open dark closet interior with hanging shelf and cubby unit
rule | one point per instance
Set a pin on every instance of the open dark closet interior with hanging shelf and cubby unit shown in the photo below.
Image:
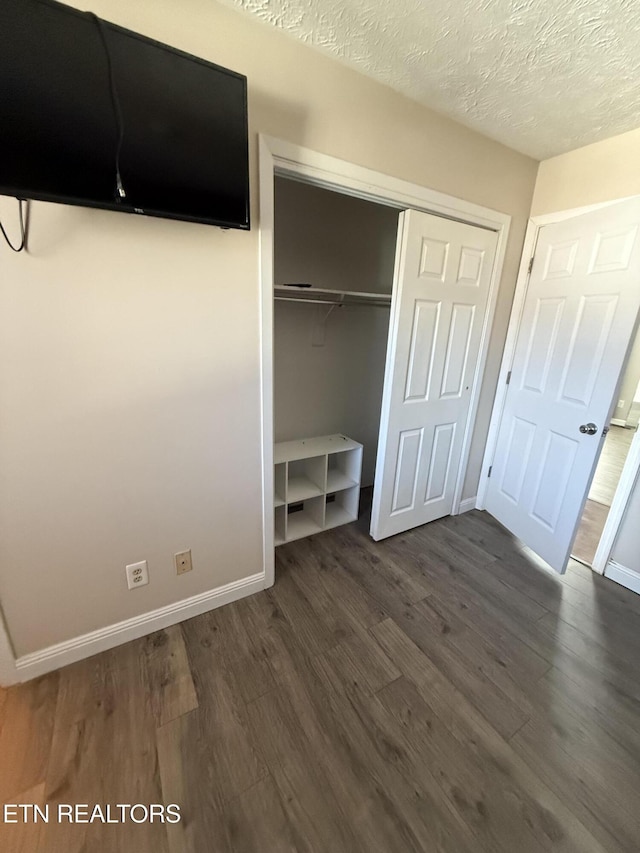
(333, 266)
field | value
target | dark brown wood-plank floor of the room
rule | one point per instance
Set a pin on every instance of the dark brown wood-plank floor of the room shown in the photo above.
(438, 692)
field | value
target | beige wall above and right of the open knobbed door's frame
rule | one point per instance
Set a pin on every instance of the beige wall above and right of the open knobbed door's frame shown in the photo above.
(601, 172)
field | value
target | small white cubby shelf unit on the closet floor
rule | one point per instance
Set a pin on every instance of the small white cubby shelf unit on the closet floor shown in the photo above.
(317, 485)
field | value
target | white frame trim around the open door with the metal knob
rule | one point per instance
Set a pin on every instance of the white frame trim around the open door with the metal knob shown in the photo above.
(632, 466)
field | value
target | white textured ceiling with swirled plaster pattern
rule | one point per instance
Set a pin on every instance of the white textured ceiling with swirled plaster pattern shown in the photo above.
(542, 76)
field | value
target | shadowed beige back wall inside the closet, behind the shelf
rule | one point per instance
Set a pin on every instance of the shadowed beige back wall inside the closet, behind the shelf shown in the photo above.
(337, 242)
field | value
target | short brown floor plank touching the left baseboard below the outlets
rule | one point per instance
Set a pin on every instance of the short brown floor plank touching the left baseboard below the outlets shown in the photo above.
(169, 675)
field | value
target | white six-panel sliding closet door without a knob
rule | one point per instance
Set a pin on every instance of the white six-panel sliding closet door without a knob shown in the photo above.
(441, 288)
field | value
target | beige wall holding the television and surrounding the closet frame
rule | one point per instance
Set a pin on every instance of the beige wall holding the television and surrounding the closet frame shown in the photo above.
(129, 348)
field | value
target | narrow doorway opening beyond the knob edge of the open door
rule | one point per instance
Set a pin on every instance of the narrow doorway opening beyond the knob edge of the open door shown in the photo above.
(613, 457)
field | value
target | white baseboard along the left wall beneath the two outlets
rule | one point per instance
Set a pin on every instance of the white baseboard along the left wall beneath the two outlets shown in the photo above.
(38, 663)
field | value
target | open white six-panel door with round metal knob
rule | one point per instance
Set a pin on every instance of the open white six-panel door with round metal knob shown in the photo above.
(577, 323)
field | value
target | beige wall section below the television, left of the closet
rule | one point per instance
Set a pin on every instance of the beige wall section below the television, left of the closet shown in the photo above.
(129, 349)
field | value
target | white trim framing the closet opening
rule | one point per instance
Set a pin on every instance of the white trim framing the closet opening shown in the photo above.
(277, 157)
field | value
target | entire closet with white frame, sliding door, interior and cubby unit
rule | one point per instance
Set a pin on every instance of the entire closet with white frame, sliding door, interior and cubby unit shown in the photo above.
(401, 283)
